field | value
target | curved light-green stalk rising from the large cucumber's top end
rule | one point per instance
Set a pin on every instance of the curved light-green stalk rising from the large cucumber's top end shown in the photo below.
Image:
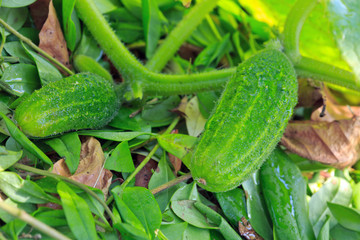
(293, 25)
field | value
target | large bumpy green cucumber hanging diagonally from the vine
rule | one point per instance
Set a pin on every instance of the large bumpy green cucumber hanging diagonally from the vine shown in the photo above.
(247, 123)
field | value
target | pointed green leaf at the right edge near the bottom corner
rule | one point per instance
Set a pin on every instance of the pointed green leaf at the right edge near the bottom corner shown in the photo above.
(348, 217)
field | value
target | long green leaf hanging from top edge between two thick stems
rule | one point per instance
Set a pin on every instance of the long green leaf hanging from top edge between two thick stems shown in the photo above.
(152, 25)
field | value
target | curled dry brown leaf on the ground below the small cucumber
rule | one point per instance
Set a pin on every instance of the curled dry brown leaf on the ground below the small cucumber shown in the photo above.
(91, 169)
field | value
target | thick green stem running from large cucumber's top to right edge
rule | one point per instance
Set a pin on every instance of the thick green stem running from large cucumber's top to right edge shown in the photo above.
(310, 68)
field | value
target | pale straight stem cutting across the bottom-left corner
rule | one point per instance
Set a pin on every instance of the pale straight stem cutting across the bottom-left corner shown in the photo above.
(24, 216)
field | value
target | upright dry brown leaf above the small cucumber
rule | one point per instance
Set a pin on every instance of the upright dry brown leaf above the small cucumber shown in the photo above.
(52, 39)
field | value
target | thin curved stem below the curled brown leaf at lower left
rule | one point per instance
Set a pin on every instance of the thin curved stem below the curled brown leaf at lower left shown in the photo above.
(68, 180)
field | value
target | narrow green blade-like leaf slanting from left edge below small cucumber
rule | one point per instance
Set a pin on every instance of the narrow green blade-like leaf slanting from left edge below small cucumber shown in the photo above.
(24, 141)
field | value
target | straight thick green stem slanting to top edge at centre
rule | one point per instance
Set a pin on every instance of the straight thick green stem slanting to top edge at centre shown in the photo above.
(179, 34)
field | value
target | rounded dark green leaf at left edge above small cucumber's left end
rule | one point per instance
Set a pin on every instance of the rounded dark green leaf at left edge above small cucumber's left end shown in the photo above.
(20, 78)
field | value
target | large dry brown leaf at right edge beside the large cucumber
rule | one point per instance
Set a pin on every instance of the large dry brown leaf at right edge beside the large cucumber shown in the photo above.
(335, 143)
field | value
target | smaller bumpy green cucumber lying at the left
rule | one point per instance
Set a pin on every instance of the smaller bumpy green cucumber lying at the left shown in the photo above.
(80, 101)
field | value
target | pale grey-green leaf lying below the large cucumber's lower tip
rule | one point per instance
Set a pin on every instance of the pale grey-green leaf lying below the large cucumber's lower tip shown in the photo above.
(186, 210)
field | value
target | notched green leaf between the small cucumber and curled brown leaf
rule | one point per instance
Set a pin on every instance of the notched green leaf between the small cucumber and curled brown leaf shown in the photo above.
(68, 146)
